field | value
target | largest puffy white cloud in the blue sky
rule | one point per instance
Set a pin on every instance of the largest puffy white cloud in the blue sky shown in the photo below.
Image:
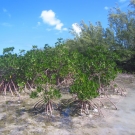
(48, 16)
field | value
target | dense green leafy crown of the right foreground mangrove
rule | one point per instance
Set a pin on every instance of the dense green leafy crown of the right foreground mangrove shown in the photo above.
(92, 69)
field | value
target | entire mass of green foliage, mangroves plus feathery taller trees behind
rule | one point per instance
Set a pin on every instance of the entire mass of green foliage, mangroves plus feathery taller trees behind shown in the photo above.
(91, 59)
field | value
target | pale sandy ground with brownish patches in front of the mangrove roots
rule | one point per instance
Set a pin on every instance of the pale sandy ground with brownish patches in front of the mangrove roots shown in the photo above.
(16, 120)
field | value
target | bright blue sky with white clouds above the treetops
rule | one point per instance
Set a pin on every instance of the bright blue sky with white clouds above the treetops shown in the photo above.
(24, 23)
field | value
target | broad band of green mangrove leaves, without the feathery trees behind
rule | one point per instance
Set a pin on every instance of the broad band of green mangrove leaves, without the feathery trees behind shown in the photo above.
(89, 69)
